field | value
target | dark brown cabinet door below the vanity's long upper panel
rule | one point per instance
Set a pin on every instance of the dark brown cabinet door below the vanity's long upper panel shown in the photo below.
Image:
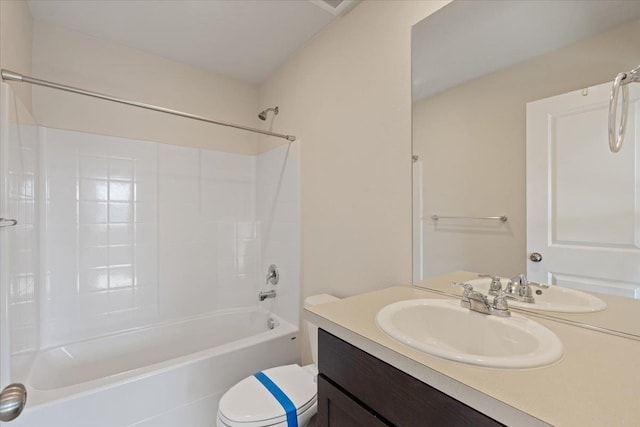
(336, 409)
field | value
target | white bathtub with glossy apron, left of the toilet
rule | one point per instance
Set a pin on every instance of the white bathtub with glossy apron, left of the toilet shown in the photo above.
(171, 374)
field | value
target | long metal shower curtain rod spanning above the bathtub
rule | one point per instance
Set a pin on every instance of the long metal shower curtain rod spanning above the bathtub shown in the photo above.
(13, 76)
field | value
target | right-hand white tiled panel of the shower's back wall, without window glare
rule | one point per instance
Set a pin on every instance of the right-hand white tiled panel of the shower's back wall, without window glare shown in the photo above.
(208, 237)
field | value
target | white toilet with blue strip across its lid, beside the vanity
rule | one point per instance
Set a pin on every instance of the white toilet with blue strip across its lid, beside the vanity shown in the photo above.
(260, 399)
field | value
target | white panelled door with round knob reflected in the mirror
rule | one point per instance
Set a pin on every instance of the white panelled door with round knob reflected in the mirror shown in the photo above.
(583, 204)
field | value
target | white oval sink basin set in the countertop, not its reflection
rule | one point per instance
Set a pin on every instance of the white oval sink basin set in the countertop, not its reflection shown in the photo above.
(443, 328)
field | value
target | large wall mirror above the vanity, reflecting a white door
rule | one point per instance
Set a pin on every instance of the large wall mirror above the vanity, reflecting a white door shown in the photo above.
(510, 149)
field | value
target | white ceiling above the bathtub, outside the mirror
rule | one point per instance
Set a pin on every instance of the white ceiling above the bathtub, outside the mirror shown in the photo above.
(241, 39)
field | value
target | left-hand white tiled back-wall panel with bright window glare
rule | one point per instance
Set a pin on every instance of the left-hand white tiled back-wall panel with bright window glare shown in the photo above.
(101, 216)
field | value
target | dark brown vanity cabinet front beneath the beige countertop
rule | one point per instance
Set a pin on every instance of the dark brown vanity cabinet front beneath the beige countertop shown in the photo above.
(356, 389)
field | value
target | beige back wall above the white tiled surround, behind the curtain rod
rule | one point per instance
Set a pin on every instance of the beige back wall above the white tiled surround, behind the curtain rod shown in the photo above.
(80, 60)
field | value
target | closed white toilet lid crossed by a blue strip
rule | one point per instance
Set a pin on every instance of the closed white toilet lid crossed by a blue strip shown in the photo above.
(250, 403)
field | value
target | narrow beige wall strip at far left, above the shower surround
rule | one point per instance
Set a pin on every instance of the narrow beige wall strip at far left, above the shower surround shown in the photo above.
(15, 43)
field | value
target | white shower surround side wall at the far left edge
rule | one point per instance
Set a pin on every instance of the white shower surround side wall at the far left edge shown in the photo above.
(19, 260)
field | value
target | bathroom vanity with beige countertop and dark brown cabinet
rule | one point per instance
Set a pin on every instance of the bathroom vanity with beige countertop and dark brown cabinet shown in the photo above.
(368, 378)
